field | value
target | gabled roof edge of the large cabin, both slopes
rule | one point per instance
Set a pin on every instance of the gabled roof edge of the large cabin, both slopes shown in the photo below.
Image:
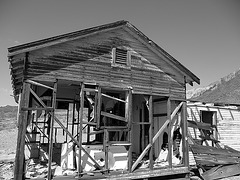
(190, 77)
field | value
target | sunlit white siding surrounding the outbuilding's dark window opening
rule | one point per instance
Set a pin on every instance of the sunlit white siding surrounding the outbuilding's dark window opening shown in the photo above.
(228, 123)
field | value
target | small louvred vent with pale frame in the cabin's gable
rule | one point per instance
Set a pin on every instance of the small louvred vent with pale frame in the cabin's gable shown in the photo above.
(121, 58)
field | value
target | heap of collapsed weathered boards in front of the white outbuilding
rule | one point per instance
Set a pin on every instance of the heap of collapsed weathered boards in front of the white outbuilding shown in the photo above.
(213, 159)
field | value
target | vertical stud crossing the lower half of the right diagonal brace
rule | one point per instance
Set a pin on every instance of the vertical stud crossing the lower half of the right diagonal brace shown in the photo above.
(151, 131)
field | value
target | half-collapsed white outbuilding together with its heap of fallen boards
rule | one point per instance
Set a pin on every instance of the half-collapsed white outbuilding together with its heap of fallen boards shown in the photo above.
(214, 138)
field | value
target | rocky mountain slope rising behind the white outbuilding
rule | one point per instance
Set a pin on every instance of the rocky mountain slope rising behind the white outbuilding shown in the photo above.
(224, 91)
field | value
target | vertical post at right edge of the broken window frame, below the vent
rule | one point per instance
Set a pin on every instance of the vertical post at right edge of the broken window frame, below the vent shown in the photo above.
(129, 119)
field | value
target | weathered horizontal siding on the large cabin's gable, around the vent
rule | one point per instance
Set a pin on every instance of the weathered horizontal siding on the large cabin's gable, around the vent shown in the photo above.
(89, 60)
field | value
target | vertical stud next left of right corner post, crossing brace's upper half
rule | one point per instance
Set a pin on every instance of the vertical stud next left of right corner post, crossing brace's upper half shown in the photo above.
(169, 132)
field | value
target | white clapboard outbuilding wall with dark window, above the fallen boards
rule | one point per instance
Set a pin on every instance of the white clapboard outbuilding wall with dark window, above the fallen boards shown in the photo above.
(225, 120)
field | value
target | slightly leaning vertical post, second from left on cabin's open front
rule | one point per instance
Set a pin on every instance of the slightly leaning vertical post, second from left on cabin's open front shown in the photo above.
(50, 149)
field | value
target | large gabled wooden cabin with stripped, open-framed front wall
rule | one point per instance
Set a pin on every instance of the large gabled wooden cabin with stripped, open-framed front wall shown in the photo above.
(109, 91)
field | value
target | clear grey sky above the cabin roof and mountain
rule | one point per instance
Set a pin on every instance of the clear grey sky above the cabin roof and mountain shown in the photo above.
(204, 35)
